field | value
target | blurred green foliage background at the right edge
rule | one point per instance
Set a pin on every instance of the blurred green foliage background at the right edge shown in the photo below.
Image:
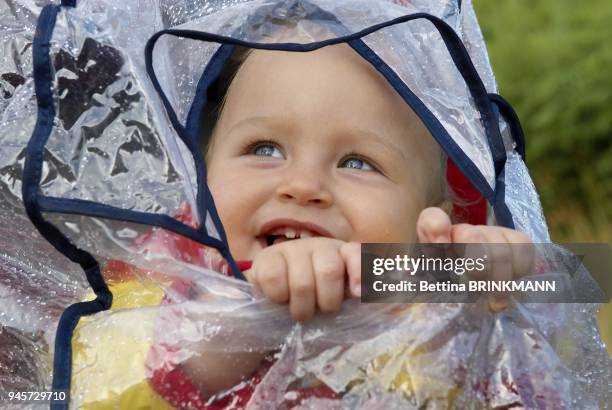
(553, 63)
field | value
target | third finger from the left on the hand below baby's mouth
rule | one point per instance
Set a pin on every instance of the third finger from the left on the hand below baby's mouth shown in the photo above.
(329, 275)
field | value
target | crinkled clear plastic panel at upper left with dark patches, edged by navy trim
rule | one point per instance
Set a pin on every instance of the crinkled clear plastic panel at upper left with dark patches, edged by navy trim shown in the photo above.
(107, 140)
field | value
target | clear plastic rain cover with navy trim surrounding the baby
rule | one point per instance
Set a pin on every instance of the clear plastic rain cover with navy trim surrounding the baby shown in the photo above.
(113, 176)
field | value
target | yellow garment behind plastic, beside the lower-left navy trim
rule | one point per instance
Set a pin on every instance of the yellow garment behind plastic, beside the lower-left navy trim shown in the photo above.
(109, 352)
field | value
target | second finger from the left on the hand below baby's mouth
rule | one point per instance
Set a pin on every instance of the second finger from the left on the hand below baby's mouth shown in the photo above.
(302, 298)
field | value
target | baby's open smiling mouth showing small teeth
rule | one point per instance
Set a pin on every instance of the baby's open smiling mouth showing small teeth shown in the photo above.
(282, 230)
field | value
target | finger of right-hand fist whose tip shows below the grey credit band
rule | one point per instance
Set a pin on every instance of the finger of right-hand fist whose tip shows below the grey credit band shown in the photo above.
(500, 263)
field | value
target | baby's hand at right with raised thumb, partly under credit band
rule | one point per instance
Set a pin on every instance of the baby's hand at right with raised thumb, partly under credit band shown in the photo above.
(512, 257)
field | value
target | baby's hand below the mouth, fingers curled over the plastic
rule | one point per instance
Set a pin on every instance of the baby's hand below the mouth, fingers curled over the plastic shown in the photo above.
(308, 274)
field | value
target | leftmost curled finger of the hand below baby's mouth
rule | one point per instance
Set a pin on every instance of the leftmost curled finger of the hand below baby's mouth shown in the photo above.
(269, 273)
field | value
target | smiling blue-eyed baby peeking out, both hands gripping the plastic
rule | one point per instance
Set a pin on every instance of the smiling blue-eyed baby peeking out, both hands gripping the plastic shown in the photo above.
(311, 155)
